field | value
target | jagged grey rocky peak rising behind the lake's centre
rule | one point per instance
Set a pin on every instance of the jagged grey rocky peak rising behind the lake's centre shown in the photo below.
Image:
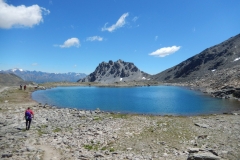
(116, 72)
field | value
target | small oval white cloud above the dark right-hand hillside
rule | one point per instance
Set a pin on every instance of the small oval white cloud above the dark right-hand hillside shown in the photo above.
(165, 51)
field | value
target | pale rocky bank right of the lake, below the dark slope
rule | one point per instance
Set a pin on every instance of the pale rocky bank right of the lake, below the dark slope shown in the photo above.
(224, 84)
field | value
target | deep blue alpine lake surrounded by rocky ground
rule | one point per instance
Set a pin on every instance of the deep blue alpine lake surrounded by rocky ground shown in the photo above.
(158, 100)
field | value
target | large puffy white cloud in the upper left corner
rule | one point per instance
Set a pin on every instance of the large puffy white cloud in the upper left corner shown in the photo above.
(20, 16)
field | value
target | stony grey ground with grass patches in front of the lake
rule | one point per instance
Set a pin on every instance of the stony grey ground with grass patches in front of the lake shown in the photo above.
(65, 134)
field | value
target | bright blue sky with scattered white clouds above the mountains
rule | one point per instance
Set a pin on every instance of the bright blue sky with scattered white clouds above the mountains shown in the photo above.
(75, 36)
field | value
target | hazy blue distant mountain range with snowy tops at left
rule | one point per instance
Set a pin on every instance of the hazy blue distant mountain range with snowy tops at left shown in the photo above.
(42, 77)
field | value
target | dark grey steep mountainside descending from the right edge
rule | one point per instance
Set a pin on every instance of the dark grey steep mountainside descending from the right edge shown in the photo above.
(225, 55)
